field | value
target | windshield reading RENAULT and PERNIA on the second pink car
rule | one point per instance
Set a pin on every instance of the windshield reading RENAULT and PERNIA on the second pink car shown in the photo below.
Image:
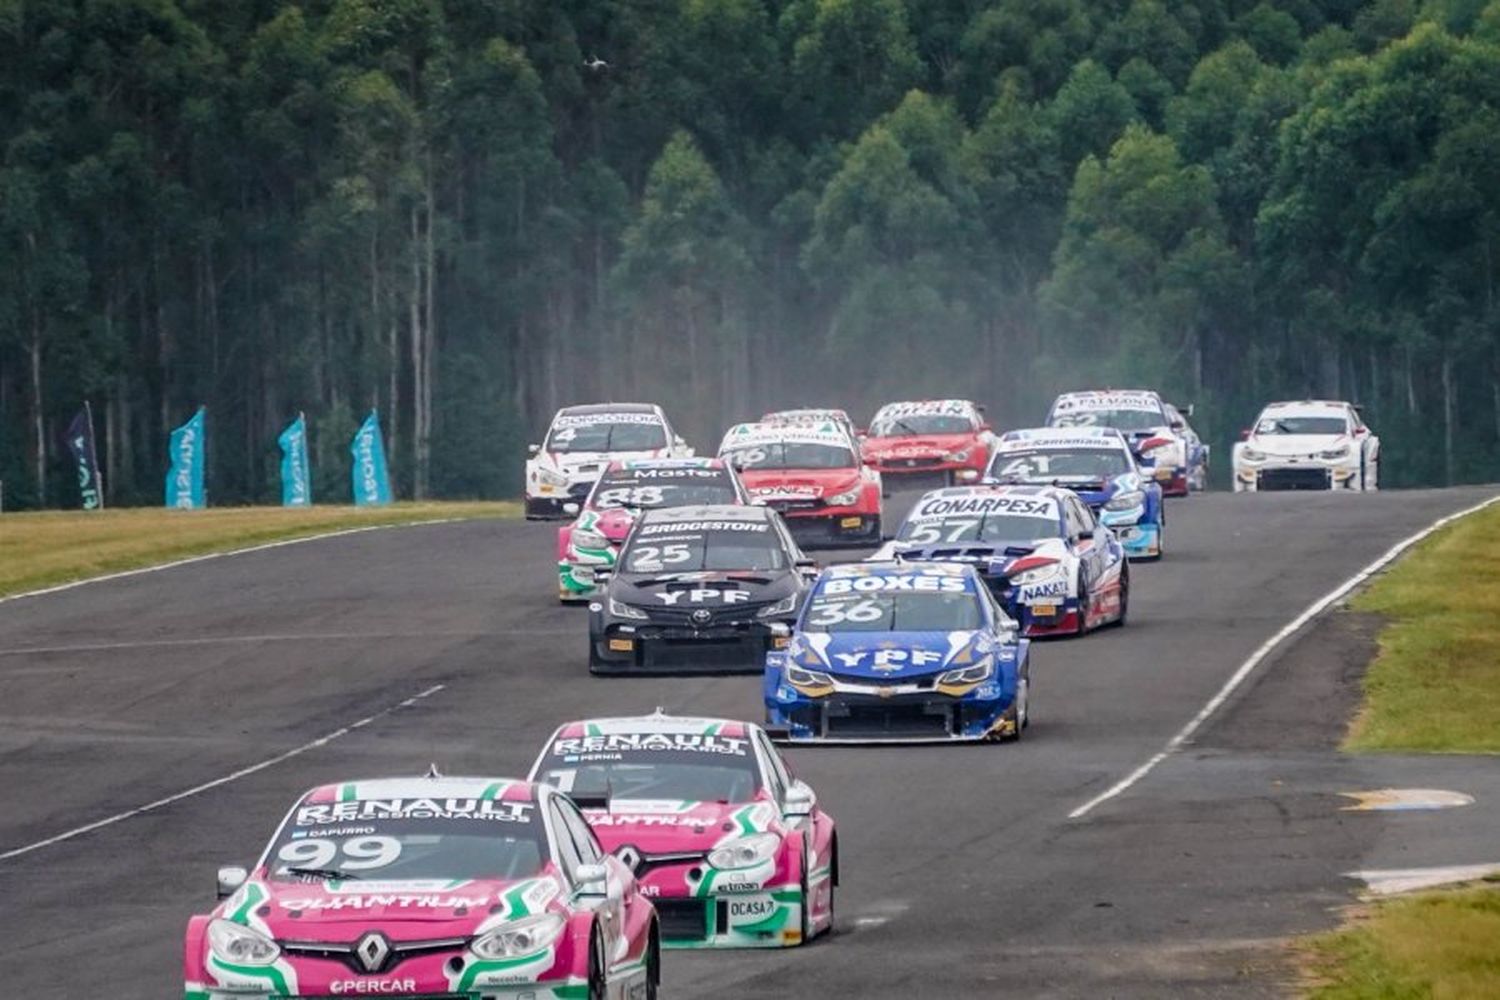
(682, 768)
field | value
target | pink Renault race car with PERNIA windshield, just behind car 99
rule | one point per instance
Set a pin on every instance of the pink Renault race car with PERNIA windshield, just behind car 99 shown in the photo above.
(731, 848)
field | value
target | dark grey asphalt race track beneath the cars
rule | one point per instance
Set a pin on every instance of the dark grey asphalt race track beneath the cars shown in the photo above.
(962, 875)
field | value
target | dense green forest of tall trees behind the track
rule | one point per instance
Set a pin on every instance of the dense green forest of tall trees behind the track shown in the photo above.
(470, 212)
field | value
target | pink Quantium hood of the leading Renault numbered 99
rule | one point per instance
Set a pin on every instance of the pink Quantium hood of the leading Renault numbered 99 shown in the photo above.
(404, 911)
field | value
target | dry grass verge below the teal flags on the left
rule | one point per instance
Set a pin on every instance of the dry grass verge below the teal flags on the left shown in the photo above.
(50, 548)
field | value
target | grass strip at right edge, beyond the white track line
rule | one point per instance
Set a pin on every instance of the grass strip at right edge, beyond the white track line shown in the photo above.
(1436, 681)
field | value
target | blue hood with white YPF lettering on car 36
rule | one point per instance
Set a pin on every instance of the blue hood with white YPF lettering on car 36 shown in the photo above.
(889, 656)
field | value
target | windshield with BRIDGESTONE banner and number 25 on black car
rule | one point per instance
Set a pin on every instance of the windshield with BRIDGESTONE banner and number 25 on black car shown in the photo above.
(695, 546)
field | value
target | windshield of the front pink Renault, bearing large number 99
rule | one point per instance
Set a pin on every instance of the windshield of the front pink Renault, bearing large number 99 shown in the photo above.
(401, 839)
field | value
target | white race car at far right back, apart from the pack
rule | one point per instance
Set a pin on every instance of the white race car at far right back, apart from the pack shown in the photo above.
(1309, 446)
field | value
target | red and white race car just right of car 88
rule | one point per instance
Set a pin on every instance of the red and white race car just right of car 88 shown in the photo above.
(811, 473)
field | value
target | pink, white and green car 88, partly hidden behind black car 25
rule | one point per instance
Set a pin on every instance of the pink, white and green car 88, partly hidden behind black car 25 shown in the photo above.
(617, 500)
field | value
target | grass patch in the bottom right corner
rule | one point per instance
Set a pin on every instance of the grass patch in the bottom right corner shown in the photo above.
(1436, 945)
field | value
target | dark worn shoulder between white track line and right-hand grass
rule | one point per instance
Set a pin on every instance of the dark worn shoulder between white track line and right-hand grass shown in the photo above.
(1306, 696)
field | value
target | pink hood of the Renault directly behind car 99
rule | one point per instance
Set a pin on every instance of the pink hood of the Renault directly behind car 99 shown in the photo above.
(656, 827)
